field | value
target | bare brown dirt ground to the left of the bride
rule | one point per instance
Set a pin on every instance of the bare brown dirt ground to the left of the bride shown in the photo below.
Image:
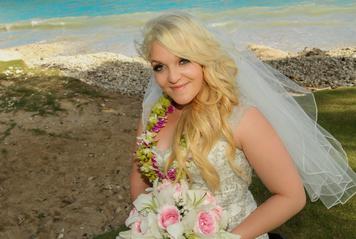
(65, 175)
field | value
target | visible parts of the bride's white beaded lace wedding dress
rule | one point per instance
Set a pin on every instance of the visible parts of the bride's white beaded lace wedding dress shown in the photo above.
(234, 194)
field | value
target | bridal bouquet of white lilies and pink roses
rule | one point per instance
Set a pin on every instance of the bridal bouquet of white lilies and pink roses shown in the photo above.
(172, 210)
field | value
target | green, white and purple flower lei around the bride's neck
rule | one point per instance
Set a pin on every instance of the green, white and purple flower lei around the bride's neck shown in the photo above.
(147, 159)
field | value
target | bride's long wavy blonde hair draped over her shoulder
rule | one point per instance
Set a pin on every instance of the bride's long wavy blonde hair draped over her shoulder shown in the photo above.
(204, 120)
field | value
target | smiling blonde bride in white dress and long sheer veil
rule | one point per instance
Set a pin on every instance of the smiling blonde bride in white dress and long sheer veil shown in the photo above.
(228, 126)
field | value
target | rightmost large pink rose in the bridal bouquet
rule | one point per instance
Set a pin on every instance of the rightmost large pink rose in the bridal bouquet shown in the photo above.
(206, 224)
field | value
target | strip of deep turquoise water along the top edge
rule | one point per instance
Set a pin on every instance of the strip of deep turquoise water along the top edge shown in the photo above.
(19, 10)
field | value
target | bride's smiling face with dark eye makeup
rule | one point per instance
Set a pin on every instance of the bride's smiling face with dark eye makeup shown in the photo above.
(179, 78)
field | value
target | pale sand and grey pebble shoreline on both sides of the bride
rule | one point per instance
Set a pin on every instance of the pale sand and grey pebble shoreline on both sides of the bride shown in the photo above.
(311, 68)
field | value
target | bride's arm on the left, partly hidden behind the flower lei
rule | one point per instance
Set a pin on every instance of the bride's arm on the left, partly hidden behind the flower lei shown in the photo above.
(137, 182)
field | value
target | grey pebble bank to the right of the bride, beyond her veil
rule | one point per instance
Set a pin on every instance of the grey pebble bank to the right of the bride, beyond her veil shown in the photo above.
(317, 69)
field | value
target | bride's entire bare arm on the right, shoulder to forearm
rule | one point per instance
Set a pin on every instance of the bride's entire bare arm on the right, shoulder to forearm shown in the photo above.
(274, 166)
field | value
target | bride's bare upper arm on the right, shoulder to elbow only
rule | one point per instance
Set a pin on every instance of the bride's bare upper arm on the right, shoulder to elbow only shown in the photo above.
(268, 156)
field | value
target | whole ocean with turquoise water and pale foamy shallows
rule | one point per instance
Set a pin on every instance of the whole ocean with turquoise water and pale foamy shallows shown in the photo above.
(114, 25)
